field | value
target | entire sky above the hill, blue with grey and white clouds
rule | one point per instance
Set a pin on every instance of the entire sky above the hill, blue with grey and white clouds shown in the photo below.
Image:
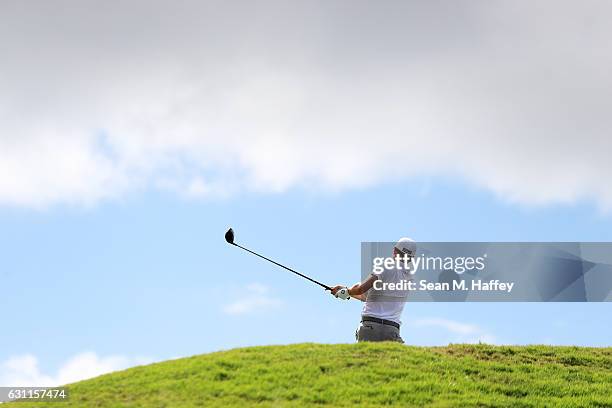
(133, 135)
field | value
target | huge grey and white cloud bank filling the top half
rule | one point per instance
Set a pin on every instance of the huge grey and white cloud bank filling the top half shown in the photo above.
(206, 99)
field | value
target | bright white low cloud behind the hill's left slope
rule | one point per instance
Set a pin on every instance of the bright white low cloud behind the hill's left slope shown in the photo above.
(24, 371)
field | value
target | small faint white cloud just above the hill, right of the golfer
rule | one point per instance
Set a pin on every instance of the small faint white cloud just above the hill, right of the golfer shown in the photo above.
(457, 332)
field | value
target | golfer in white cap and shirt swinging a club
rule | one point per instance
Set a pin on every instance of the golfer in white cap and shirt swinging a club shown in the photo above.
(380, 317)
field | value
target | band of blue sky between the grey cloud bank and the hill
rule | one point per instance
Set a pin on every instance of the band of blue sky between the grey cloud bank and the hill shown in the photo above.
(151, 277)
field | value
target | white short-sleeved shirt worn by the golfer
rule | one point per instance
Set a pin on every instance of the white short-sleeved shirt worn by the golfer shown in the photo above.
(394, 300)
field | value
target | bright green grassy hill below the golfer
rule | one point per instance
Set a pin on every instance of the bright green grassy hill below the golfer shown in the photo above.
(365, 374)
